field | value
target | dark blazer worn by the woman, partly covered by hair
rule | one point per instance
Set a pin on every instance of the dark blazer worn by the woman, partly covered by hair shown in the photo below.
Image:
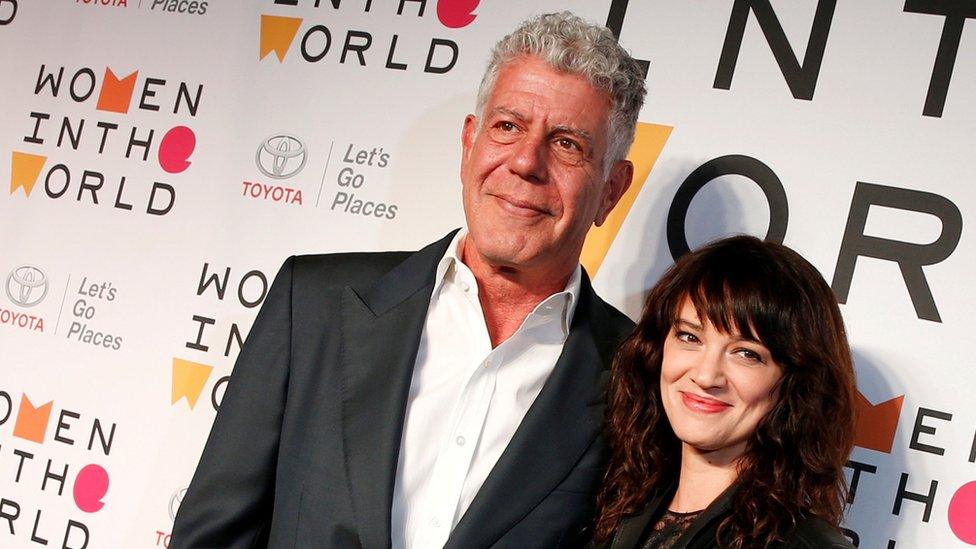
(810, 533)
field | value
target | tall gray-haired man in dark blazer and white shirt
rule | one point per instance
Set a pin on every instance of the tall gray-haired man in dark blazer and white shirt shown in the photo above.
(450, 397)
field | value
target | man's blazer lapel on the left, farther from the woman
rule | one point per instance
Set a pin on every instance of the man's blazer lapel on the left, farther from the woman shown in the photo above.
(381, 328)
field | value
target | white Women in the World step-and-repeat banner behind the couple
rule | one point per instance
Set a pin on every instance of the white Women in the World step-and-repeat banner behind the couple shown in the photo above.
(161, 158)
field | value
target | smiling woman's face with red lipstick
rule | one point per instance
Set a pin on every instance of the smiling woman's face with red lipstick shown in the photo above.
(716, 387)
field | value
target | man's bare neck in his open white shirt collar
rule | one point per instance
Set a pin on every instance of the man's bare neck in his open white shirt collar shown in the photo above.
(508, 295)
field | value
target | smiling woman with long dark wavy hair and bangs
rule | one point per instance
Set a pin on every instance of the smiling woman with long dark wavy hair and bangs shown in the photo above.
(731, 408)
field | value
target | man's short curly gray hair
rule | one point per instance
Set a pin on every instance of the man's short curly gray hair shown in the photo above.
(570, 44)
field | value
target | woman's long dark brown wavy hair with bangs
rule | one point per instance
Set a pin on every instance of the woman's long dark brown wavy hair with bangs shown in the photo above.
(793, 464)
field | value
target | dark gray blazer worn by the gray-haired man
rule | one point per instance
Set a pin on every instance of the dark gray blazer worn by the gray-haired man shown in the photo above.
(303, 452)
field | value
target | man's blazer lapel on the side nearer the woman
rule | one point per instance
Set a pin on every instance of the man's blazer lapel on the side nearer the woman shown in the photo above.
(559, 426)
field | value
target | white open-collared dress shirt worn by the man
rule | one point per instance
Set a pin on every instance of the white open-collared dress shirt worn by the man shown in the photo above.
(466, 399)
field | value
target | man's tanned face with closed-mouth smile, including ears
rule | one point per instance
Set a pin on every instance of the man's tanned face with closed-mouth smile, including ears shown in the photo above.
(532, 169)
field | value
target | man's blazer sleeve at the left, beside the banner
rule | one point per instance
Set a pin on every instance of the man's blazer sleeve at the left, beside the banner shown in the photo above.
(229, 501)
